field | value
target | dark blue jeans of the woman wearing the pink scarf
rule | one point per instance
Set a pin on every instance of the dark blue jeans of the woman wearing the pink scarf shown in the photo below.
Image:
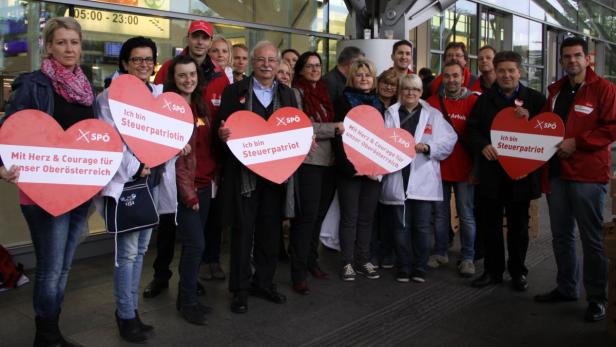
(55, 240)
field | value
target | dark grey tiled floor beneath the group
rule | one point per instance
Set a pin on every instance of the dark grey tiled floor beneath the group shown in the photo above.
(444, 311)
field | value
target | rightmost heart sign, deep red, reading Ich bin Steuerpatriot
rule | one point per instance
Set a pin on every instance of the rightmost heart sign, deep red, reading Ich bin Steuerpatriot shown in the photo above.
(523, 145)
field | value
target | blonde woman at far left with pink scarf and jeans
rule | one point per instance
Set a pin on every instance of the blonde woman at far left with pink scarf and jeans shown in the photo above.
(62, 90)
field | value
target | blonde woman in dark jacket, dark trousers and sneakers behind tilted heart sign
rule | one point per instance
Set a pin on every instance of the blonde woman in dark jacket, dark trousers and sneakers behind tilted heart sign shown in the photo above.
(358, 194)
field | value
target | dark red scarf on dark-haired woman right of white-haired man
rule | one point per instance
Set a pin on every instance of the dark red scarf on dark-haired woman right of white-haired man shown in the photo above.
(316, 100)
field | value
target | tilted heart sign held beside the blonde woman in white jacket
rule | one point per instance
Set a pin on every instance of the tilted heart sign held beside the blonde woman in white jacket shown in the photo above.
(372, 148)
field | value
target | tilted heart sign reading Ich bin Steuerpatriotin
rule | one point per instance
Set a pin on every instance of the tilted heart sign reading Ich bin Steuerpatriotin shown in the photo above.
(154, 128)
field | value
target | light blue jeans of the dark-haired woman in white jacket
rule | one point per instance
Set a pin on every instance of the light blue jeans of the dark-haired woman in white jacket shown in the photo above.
(127, 275)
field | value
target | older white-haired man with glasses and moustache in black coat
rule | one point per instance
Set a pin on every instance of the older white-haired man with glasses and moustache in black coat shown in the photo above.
(253, 205)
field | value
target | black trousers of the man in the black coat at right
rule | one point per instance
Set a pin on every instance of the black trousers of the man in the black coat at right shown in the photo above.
(517, 236)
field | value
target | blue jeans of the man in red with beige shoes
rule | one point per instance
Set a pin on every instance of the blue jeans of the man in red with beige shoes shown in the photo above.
(442, 215)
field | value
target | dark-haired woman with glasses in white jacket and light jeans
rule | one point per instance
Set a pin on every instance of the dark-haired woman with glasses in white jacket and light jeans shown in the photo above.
(137, 58)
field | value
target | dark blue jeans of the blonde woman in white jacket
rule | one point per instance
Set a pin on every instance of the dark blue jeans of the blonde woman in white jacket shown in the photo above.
(412, 230)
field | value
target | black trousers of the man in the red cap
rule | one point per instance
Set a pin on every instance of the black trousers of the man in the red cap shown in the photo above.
(165, 246)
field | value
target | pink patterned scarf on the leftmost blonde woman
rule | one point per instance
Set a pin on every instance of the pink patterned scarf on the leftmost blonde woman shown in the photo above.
(73, 86)
